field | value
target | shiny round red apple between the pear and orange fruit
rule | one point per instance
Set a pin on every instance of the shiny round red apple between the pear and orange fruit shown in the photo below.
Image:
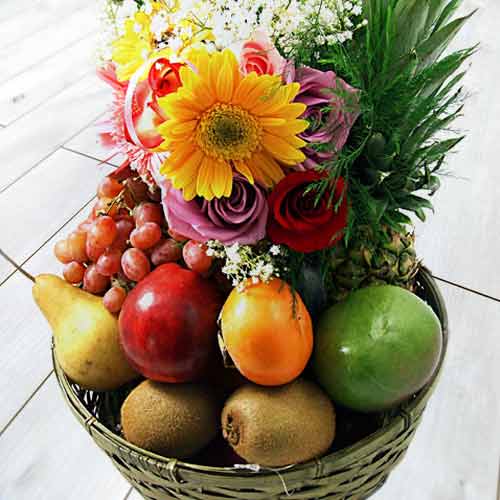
(168, 324)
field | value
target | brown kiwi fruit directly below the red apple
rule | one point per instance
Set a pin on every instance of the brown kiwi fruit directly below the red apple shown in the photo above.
(173, 420)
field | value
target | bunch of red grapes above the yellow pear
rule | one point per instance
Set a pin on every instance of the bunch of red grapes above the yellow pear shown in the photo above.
(124, 238)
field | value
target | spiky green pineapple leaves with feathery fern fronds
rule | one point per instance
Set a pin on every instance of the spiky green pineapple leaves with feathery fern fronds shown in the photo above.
(410, 96)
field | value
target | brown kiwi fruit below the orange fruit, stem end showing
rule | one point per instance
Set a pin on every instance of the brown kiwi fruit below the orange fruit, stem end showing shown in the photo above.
(278, 426)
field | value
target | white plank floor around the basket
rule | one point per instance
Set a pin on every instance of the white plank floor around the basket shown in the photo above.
(49, 99)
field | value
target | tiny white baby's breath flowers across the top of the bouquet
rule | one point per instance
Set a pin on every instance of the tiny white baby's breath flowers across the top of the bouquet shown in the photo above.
(290, 23)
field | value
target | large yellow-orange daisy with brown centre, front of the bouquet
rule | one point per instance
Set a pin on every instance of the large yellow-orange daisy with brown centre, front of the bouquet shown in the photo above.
(220, 120)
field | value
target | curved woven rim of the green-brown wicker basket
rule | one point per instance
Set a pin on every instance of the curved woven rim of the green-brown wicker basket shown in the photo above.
(417, 402)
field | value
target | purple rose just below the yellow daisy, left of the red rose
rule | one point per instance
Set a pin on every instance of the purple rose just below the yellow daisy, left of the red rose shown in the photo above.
(239, 218)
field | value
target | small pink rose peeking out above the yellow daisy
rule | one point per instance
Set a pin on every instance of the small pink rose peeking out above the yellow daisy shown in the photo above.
(260, 55)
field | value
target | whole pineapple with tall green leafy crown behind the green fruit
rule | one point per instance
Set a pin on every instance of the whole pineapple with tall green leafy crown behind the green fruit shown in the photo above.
(410, 96)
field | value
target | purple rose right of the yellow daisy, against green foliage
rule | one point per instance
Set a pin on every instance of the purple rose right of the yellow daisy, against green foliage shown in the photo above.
(332, 109)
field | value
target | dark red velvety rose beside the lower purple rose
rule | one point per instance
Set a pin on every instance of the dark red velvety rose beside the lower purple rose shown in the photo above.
(297, 221)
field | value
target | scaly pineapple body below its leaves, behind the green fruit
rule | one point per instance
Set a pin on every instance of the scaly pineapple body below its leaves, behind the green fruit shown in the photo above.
(369, 261)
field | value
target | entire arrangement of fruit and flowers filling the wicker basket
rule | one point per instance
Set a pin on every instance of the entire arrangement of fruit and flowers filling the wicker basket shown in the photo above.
(248, 273)
